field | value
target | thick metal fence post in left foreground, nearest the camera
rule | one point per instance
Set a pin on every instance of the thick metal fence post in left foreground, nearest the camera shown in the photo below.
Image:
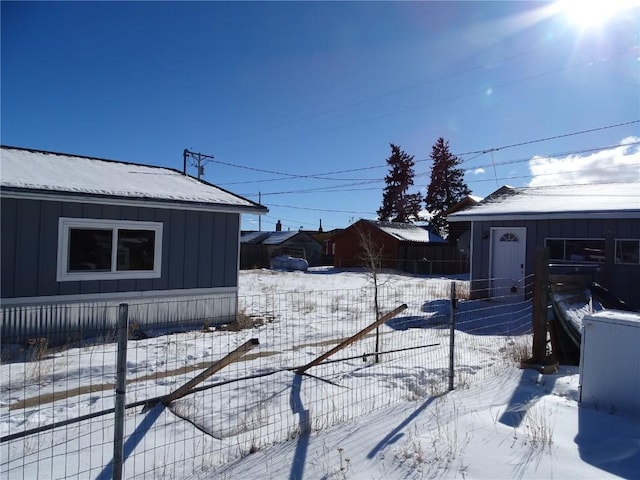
(121, 383)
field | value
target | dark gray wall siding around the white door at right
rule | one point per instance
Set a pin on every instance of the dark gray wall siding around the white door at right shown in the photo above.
(622, 280)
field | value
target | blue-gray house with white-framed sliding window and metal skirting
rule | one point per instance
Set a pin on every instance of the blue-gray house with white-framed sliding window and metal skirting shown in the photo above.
(81, 235)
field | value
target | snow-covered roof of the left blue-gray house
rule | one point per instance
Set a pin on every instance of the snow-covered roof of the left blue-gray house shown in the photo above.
(33, 170)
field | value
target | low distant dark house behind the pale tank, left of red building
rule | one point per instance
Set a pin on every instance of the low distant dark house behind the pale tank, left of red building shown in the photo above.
(258, 248)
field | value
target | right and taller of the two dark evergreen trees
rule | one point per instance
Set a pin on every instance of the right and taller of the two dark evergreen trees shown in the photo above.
(447, 185)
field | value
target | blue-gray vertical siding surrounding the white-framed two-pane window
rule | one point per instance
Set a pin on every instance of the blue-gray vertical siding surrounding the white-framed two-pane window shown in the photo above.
(199, 249)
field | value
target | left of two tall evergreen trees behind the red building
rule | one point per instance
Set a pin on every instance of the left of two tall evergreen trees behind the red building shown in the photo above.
(397, 204)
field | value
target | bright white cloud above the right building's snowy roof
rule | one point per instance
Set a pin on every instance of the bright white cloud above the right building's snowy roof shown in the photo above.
(618, 164)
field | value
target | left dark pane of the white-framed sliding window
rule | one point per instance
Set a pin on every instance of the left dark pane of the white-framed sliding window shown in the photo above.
(90, 250)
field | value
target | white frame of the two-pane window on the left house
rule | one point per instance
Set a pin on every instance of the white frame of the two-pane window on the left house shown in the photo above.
(65, 225)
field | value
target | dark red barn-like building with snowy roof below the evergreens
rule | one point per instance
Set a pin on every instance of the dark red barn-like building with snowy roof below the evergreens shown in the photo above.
(404, 247)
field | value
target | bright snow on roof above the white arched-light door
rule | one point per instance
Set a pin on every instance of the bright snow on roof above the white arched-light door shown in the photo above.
(563, 201)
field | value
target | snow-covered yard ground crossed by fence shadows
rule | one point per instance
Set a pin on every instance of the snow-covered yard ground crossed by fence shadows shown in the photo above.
(351, 419)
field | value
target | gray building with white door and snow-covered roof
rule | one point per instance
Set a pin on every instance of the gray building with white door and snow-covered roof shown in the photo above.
(583, 225)
